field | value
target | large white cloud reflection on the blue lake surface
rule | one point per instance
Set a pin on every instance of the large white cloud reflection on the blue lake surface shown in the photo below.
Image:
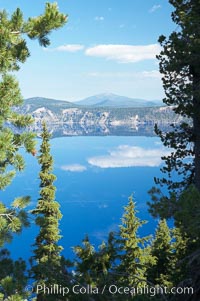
(129, 156)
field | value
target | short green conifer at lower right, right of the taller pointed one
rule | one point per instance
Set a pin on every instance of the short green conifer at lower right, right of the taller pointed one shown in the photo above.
(169, 249)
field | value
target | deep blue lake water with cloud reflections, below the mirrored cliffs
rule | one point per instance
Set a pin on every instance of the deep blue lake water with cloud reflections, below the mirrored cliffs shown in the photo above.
(95, 177)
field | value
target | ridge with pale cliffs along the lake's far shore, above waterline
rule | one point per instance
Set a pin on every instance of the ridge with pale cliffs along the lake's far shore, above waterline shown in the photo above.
(56, 111)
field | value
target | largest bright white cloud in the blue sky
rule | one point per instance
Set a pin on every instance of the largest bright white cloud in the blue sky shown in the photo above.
(124, 53)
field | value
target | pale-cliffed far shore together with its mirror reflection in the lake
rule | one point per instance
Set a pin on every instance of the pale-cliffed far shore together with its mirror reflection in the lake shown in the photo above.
(69, 119)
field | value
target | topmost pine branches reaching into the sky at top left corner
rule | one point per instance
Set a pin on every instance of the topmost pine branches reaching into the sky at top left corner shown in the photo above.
(13, 31)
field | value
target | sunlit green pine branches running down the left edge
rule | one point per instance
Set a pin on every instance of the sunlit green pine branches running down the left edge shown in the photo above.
(14, 31)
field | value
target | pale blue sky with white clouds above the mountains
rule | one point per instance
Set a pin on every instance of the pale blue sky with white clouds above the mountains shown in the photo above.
(107, 46)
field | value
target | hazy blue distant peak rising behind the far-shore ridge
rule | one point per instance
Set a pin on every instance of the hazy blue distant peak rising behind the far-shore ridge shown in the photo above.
(116, 101)
